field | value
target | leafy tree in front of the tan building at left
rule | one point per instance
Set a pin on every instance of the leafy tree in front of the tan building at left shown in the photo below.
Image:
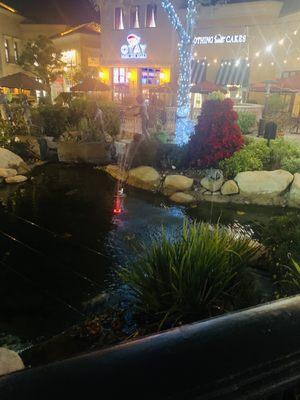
(41, 58)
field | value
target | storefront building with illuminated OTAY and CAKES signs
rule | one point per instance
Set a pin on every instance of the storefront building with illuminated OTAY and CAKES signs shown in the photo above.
(236, 45)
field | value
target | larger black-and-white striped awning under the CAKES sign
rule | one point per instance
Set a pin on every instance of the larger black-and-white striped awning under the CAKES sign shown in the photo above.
(233, 72)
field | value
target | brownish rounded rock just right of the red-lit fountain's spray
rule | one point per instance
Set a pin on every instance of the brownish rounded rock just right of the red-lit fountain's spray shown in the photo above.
(146, 178)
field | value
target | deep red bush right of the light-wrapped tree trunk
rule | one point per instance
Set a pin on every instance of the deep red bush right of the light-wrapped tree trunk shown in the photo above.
(217, 134)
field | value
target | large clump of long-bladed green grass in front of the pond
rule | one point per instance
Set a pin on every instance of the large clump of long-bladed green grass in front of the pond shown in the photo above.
(194, 276)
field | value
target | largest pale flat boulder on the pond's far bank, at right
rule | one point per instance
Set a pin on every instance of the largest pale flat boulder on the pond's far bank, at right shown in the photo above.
(263, 183)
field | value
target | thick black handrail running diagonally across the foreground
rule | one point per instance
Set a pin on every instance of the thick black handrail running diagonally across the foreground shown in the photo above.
(252, 354)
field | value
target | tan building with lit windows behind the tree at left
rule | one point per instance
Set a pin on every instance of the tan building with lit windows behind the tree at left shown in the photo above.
(80, 45)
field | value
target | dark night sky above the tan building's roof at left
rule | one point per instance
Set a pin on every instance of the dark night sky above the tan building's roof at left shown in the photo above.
(56, 11)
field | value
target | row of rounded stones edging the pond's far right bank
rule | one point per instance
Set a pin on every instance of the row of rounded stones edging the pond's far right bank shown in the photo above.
(272, 188)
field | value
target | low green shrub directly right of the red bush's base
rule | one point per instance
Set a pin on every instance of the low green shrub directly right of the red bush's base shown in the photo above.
(241, 161)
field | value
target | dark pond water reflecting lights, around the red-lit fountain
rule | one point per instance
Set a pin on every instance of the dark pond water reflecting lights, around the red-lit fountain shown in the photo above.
(61, 245)
